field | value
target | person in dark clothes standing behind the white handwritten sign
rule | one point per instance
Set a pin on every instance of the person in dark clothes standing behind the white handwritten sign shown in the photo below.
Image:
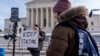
(36, 51)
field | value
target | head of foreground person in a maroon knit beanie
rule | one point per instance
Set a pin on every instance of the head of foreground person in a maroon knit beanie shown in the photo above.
(60, 7)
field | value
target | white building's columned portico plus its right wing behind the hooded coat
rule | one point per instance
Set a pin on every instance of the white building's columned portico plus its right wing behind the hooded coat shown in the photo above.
(41, 12)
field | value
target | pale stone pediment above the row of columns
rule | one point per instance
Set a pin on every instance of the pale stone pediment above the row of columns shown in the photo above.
(41, 3)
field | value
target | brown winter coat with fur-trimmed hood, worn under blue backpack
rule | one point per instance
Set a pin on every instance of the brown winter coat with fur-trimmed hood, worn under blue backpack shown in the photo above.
(64, 41)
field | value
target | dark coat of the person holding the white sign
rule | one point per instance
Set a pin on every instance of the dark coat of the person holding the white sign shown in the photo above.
(42, 34)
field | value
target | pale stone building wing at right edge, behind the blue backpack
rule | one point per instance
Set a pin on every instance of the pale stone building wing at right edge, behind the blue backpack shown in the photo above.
(94, 23)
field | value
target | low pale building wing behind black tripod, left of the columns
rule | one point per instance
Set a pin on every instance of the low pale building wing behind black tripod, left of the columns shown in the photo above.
(8, 28)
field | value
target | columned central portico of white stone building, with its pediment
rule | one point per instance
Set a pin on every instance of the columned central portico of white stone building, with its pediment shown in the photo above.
(41, 12)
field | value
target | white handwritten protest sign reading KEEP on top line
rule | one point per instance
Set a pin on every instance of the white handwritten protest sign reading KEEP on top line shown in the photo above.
(29, 38)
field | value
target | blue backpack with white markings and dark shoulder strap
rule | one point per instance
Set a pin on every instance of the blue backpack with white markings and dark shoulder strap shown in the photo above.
(86, 44)
